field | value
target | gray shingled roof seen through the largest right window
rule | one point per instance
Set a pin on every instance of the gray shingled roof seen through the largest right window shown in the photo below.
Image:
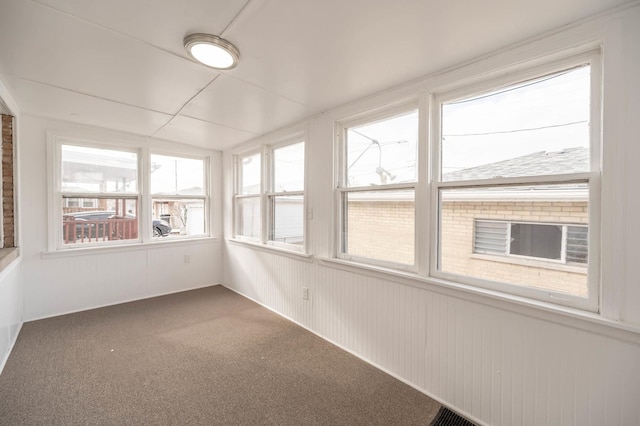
(569, 160)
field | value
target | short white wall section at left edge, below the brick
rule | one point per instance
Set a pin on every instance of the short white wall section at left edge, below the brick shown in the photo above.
(10, 309)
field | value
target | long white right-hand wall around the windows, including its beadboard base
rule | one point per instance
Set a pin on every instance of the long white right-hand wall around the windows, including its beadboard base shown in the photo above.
(500, 360)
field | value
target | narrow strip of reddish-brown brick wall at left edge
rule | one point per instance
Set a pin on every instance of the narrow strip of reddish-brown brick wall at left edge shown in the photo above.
(7, 181)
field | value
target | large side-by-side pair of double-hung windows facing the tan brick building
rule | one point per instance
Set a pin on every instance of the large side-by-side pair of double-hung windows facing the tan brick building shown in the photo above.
(509, 185)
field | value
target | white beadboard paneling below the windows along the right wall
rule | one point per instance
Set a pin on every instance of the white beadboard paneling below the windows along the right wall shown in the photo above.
(497, 366)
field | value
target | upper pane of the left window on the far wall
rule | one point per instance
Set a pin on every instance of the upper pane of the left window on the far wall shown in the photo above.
(98, 170)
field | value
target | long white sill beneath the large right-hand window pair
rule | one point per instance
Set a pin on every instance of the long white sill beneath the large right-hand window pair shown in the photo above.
(545, 311)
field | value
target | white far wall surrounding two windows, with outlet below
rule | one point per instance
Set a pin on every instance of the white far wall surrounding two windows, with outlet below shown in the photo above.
(60, 283)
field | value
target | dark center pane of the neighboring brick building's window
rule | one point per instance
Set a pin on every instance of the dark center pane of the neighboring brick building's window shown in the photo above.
(544, 241)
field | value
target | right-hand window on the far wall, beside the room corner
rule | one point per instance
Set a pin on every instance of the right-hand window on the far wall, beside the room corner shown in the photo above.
(178, 196)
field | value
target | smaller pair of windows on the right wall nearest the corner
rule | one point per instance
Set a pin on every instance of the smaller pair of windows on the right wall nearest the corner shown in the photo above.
(281, 192)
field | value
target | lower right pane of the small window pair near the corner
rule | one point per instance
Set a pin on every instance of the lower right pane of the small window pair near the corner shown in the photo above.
(288, 219)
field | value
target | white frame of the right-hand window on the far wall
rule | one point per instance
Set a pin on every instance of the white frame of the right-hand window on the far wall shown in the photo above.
(205, 198)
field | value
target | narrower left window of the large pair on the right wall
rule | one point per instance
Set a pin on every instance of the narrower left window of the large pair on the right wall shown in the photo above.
(377, 186)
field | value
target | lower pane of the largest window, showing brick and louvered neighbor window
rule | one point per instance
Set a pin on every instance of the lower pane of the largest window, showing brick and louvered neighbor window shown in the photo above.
(534, 215)
